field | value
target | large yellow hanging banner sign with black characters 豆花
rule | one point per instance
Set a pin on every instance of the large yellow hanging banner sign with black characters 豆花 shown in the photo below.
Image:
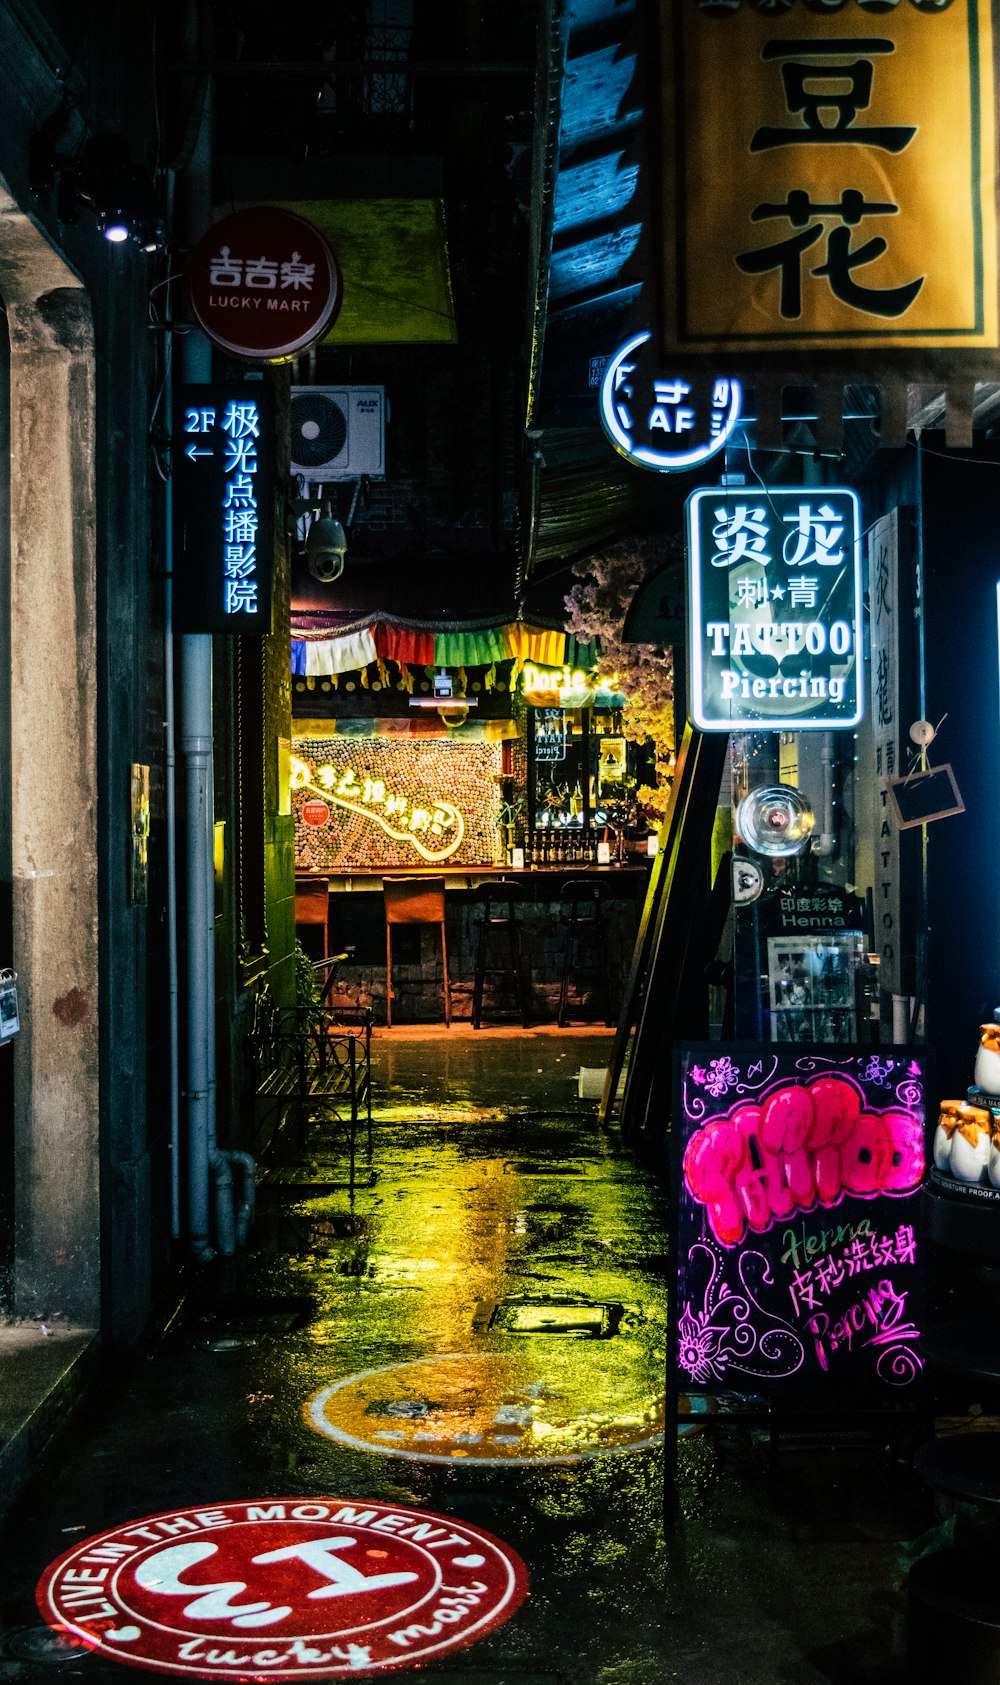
(834, 176)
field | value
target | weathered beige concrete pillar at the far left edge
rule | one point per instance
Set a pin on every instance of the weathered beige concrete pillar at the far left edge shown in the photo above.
(53, 709)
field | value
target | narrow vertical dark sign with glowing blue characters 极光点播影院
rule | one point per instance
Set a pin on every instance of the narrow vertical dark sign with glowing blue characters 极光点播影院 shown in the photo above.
(223, 473)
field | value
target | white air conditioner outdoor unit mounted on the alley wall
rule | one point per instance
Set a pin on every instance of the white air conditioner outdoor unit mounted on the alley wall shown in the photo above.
(338, 432)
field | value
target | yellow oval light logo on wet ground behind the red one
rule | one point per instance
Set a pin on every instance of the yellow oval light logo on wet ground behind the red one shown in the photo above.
(512, 1406)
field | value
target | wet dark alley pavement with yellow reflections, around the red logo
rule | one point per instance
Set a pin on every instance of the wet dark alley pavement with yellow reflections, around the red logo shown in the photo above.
(480, 1334)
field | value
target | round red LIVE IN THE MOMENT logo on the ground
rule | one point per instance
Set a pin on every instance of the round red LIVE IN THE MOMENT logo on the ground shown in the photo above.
(282, 1590)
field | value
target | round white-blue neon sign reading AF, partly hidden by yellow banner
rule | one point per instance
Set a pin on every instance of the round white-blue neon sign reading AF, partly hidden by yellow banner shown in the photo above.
(660, 420)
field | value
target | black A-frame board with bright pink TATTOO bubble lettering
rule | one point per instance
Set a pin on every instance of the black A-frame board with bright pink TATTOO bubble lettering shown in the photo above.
(797, 1179)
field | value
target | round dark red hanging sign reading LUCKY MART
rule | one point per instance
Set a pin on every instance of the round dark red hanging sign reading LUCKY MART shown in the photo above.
(264, 284)
